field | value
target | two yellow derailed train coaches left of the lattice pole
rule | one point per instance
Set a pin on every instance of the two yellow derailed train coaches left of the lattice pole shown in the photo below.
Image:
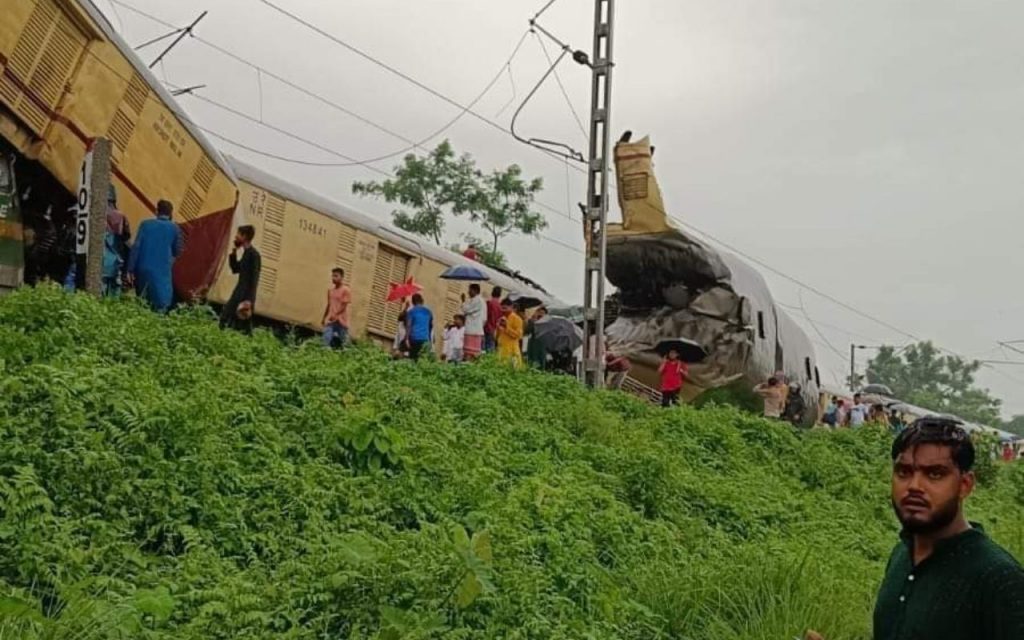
(67, 78)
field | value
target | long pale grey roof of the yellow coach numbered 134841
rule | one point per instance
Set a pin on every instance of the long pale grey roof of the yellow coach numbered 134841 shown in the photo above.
(347, 215)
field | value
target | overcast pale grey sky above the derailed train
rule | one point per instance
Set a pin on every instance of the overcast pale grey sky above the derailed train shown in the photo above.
(870, 150)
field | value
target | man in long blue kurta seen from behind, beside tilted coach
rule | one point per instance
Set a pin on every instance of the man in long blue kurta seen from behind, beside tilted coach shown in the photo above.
(153, 255)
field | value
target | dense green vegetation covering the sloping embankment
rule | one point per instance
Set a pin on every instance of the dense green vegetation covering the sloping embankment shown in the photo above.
(160, 479)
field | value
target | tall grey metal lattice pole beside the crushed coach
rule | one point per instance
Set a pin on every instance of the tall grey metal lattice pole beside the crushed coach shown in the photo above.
(596, 217)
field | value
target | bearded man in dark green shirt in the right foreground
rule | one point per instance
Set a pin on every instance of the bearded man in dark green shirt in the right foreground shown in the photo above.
(947, 580)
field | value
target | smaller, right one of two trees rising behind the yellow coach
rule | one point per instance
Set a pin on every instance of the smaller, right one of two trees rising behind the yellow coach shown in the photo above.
(504, 202)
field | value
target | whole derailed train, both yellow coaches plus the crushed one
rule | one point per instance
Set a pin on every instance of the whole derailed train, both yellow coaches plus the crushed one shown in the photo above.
(67, 77)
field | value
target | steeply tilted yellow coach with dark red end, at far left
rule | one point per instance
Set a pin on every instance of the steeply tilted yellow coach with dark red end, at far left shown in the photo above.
(67, 78)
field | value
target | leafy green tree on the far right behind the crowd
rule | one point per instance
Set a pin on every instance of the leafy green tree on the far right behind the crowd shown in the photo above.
(921, 375)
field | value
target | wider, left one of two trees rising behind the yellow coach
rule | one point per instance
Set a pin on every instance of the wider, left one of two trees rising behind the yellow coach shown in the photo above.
(430, 188)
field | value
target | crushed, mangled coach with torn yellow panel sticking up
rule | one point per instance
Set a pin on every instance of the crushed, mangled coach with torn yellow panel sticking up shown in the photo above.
(674, 286)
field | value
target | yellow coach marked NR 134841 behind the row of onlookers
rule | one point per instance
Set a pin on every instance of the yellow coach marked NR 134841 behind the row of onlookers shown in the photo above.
(303, 236)
